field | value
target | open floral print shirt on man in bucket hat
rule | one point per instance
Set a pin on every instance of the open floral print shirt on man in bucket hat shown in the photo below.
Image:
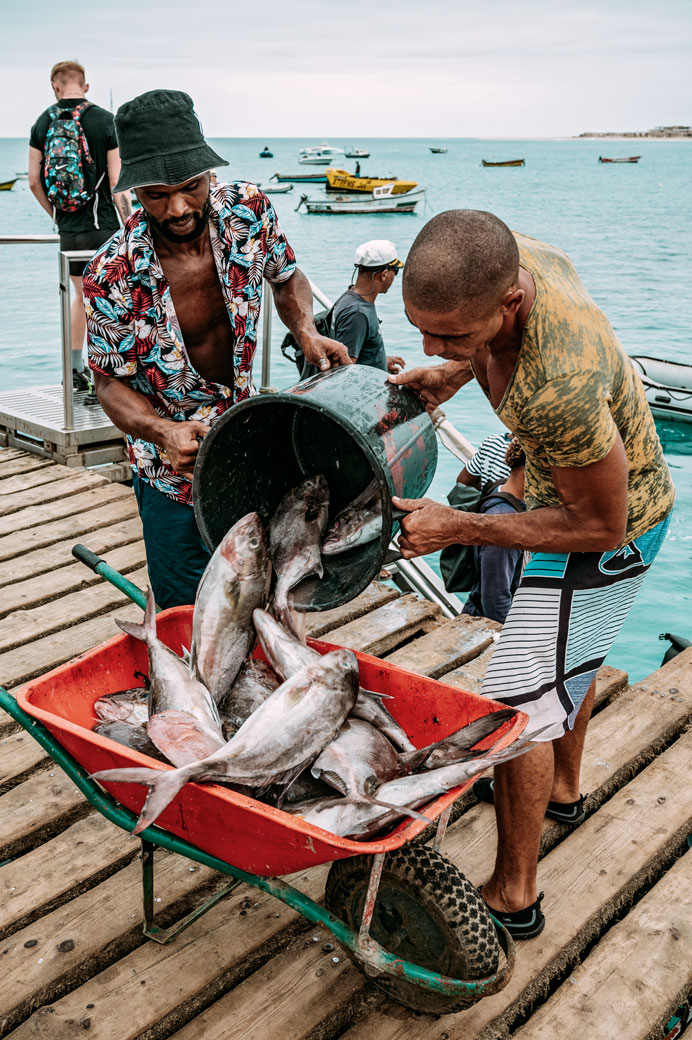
(134, 332)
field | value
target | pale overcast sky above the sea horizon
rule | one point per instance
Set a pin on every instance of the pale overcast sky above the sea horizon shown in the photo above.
(358, 69)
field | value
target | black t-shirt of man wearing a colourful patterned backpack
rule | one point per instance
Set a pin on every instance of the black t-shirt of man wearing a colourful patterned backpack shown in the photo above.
(100, 134)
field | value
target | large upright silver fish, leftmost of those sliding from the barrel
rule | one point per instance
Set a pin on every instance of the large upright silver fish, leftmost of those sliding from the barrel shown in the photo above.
(235, 584)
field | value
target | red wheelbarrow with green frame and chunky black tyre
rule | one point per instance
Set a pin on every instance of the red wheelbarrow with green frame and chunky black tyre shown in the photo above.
(405, 915)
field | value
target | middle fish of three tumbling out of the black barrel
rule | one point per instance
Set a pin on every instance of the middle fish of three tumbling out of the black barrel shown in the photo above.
(296, 533)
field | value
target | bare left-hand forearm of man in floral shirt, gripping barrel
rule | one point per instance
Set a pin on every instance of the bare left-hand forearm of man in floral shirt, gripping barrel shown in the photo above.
(133, 413)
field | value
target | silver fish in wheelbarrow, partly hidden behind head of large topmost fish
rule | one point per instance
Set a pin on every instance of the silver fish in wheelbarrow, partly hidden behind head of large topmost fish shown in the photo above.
(288, 656)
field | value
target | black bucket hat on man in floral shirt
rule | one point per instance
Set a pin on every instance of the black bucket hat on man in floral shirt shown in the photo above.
(161, 141)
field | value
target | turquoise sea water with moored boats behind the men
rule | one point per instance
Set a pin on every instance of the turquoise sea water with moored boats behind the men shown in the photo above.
(626, 227)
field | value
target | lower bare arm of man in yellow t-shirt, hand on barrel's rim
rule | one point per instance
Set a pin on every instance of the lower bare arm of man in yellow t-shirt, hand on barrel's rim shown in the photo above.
(593, 516)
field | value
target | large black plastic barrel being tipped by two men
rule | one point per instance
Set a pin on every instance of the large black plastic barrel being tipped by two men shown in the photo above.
(352, 426)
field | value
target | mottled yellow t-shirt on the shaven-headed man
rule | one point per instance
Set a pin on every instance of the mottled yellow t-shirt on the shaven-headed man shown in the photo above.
(575, 388)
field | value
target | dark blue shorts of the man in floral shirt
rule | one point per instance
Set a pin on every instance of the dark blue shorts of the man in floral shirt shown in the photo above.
(176, 554)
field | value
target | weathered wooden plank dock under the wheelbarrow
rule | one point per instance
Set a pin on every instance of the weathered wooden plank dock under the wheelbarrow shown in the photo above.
(616, 959)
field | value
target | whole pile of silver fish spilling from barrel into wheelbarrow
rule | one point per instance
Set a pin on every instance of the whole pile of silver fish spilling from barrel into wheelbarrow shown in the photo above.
(295, 730)
